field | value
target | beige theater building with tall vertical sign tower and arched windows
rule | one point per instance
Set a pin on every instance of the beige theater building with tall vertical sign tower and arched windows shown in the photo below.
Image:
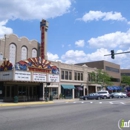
(26, 72)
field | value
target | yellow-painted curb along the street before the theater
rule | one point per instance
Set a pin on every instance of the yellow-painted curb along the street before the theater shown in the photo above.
(24, 104)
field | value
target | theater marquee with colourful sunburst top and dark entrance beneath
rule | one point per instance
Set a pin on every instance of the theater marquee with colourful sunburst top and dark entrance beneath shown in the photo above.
(27, 79)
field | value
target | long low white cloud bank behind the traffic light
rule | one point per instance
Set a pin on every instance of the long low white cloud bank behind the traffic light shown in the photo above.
(75, 56)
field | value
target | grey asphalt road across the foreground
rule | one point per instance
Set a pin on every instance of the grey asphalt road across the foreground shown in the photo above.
(80, 115)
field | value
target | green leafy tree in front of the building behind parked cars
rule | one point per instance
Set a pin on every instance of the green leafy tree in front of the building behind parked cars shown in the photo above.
(101, 77)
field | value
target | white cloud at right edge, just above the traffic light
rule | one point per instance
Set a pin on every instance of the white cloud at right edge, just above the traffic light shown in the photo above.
(112, 40)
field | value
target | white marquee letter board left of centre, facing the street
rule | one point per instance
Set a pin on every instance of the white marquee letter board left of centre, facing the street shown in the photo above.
(22, 76)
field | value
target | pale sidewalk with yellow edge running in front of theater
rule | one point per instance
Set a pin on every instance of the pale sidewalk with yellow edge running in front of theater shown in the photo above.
(7, 104)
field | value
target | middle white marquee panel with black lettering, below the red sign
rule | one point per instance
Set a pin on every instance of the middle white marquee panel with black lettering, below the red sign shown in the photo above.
(39, 77)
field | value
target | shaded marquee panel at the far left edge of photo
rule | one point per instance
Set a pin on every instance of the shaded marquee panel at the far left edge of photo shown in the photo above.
(5, 76)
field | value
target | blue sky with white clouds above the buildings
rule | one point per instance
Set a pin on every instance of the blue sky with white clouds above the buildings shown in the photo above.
(79, 30)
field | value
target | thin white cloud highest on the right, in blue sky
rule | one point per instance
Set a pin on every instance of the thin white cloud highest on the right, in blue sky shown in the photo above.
(98, 15)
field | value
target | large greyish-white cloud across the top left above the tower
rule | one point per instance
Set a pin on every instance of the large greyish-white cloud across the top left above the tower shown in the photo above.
(33, 9)
